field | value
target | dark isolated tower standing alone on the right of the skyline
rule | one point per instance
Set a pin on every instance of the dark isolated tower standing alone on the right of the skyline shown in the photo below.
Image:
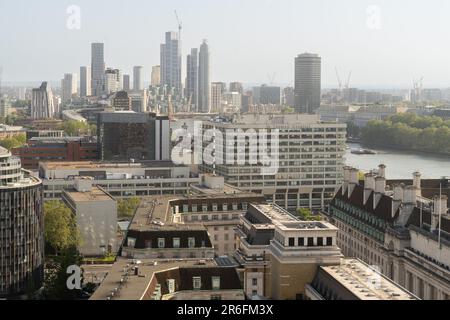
(307, 82)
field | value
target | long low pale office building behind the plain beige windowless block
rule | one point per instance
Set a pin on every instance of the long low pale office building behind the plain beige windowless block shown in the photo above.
(121, 180)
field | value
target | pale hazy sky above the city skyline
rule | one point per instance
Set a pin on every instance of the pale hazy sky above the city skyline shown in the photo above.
(385, 43)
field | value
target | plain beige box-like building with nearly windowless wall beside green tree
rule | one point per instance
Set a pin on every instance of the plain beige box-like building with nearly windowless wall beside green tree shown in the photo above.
(95, 211)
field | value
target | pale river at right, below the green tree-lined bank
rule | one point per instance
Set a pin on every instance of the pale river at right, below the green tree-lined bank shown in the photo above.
(400, 164)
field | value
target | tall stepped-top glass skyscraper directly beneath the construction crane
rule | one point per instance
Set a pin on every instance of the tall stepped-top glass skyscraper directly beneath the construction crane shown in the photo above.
(171, 62)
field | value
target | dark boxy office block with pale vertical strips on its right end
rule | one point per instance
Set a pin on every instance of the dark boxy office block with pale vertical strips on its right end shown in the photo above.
(126, 135)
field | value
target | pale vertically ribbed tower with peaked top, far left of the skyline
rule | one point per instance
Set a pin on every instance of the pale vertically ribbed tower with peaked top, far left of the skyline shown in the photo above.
(42, 102)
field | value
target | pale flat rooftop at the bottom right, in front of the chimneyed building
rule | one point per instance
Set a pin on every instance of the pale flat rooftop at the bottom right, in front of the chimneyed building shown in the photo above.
(365, 282)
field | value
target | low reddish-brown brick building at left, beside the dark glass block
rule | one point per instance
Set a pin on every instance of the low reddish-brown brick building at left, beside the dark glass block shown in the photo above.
(40, 149)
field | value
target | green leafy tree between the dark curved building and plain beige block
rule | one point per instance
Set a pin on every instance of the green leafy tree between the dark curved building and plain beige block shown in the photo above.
(61, 230)
